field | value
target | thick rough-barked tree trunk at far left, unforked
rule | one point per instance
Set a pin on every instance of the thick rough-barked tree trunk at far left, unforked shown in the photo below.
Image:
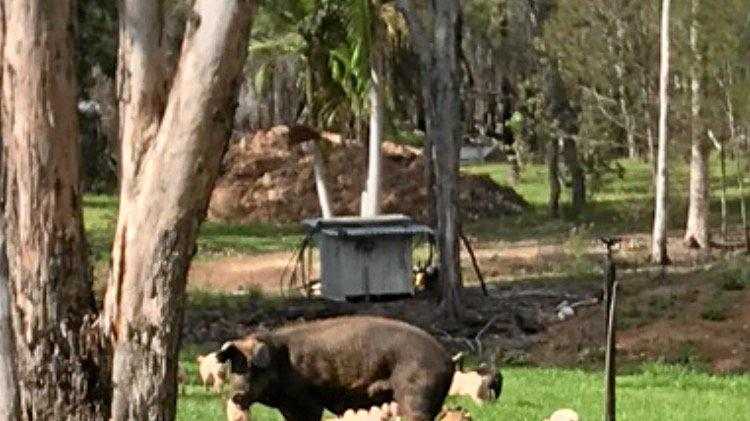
(59, 363)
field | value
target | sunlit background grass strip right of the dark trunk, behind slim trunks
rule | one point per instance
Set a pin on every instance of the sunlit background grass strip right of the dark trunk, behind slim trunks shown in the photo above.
(616, 205)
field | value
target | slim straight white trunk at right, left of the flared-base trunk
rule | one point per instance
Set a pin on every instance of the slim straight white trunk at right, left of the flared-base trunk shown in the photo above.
(659, 235)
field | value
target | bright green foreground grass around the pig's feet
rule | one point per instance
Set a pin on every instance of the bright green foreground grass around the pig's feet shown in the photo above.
(656, 392)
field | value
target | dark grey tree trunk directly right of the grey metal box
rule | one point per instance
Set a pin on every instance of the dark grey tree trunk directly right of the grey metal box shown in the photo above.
(435, 27)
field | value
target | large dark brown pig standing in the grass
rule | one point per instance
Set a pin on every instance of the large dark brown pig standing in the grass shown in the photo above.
(341, 363)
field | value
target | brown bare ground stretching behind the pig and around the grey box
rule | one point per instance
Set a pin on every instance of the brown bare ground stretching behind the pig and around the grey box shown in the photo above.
(697, 313)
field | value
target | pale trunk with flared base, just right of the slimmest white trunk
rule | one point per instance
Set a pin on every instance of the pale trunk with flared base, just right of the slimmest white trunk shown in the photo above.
(697, 229)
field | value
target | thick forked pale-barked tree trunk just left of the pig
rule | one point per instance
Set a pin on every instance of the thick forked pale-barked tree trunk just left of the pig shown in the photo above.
(172, 148)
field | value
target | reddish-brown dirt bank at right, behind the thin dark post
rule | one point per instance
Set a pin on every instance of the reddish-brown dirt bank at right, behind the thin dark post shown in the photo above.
(701, 319)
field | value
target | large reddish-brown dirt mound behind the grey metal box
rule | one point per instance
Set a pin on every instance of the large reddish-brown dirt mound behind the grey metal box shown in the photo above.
(266, 177)
